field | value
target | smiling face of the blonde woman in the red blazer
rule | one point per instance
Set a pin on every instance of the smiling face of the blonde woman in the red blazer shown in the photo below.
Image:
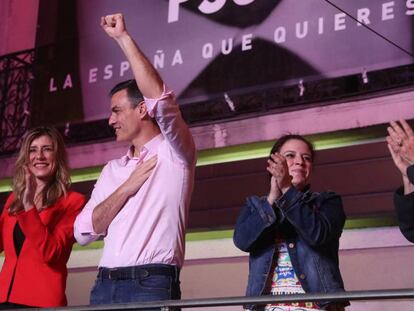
(42, 162)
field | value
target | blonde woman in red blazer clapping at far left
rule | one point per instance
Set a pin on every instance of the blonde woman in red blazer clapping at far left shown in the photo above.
(36, 224)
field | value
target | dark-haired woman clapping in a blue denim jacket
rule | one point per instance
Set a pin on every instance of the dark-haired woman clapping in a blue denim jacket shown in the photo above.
(293, 234)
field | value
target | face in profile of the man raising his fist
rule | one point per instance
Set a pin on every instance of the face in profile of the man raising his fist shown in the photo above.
(125, 119)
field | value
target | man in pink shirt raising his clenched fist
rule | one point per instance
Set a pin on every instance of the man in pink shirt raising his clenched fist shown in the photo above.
(140, 202)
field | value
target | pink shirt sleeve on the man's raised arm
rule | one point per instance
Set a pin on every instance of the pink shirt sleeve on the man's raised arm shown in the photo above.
(166, 112)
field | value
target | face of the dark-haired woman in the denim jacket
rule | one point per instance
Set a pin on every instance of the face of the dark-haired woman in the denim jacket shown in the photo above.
(299, 161)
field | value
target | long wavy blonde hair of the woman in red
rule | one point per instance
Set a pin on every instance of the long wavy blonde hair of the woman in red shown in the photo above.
(58, 184)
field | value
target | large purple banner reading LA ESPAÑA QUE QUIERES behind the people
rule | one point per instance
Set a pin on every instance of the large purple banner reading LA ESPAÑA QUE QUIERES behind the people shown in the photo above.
(204, 49)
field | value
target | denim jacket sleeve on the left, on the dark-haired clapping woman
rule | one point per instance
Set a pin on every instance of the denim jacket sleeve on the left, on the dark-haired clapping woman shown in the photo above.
(256, 216)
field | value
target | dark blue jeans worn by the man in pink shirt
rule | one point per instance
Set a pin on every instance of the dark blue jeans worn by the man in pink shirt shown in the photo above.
(144, 285)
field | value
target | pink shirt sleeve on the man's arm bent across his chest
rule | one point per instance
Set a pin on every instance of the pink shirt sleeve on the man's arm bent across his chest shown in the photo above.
(83, 227)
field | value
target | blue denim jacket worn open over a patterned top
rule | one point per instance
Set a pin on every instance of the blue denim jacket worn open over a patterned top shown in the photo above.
(311, 224)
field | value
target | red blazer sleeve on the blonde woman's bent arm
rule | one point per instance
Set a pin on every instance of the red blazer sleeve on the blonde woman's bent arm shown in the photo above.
(55, 241)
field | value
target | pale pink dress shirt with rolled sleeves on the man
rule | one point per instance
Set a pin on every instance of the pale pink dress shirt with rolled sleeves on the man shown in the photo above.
(150, 228)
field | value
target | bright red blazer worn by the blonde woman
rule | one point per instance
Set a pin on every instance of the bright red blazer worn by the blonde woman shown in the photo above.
(40, 270)
